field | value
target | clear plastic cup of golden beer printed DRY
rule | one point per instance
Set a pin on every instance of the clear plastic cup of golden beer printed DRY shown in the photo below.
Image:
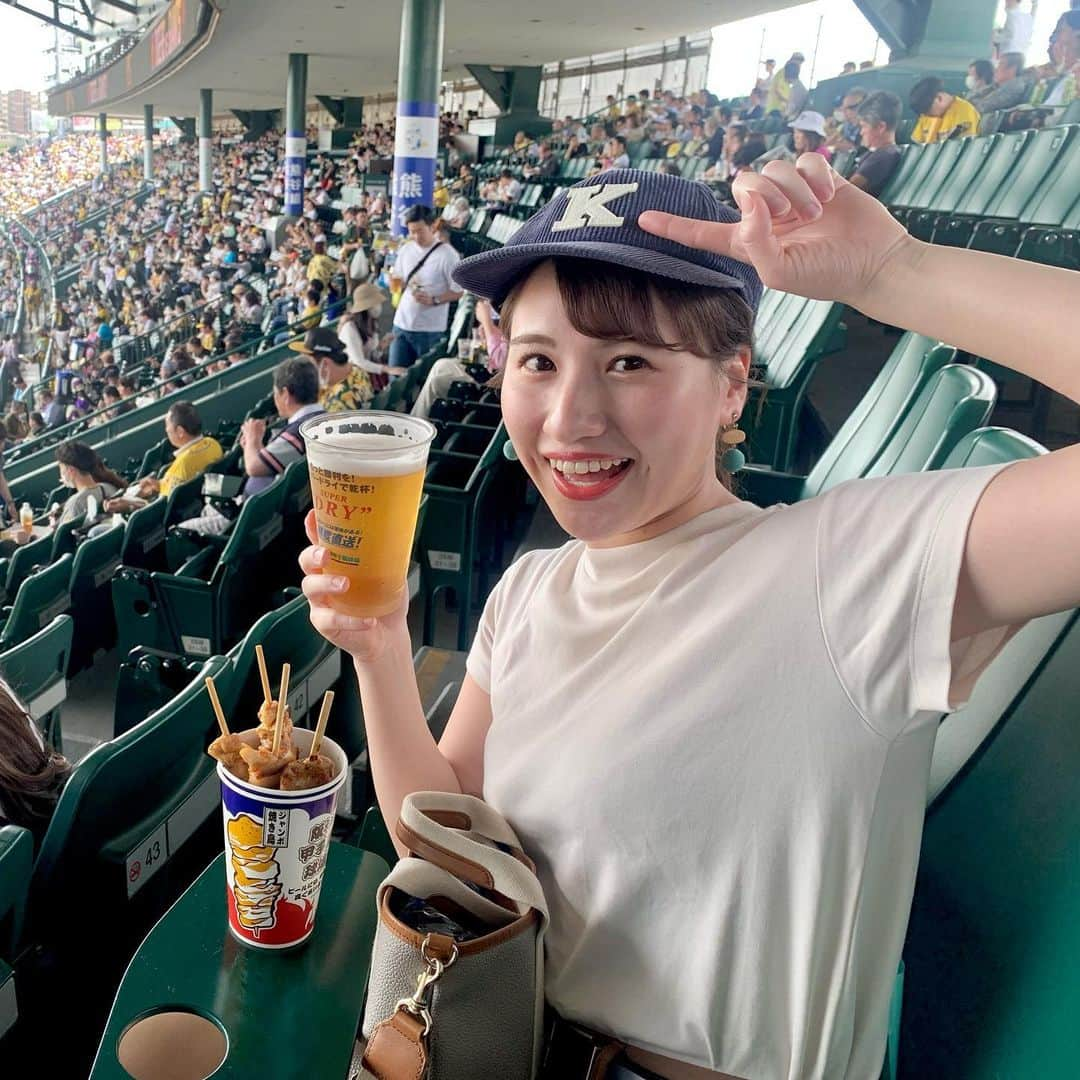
(367, 480)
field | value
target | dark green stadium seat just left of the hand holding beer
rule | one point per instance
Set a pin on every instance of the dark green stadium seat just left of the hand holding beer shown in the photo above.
(211, 601)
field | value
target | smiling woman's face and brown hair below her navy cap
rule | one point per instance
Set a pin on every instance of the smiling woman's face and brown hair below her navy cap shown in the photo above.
(658, 368)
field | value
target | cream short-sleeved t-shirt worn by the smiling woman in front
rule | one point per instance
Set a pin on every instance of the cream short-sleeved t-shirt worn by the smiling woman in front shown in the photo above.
(715, 745)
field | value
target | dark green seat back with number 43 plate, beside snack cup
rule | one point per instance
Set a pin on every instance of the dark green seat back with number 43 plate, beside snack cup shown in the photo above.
(138, 821)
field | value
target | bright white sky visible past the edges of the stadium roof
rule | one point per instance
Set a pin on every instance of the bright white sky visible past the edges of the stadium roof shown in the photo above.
(737, 47)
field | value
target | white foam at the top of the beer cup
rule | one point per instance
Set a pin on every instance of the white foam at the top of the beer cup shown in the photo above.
(369, 448)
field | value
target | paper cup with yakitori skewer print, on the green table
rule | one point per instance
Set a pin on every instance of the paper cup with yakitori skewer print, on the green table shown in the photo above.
(276, 846)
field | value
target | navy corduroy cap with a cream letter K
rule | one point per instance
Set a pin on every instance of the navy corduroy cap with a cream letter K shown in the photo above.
(598, 220)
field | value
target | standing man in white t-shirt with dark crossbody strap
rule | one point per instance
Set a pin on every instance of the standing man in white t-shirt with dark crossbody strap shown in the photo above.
(425, 308)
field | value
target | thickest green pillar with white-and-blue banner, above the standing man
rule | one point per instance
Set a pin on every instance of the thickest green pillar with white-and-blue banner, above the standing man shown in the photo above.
(416, 142)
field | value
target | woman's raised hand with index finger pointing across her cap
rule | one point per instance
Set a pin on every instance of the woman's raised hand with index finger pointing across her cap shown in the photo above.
(804, 228)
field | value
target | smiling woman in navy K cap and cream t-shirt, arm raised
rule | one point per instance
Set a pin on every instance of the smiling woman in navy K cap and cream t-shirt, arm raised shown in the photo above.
(711, 723)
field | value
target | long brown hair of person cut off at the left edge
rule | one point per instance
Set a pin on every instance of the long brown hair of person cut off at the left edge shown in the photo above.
(32, 774)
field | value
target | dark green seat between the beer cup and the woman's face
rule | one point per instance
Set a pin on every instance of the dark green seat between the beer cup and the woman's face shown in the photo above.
(457, 488)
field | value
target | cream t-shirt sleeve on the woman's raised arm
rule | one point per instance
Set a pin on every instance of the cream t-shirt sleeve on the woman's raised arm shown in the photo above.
(889, 553)
